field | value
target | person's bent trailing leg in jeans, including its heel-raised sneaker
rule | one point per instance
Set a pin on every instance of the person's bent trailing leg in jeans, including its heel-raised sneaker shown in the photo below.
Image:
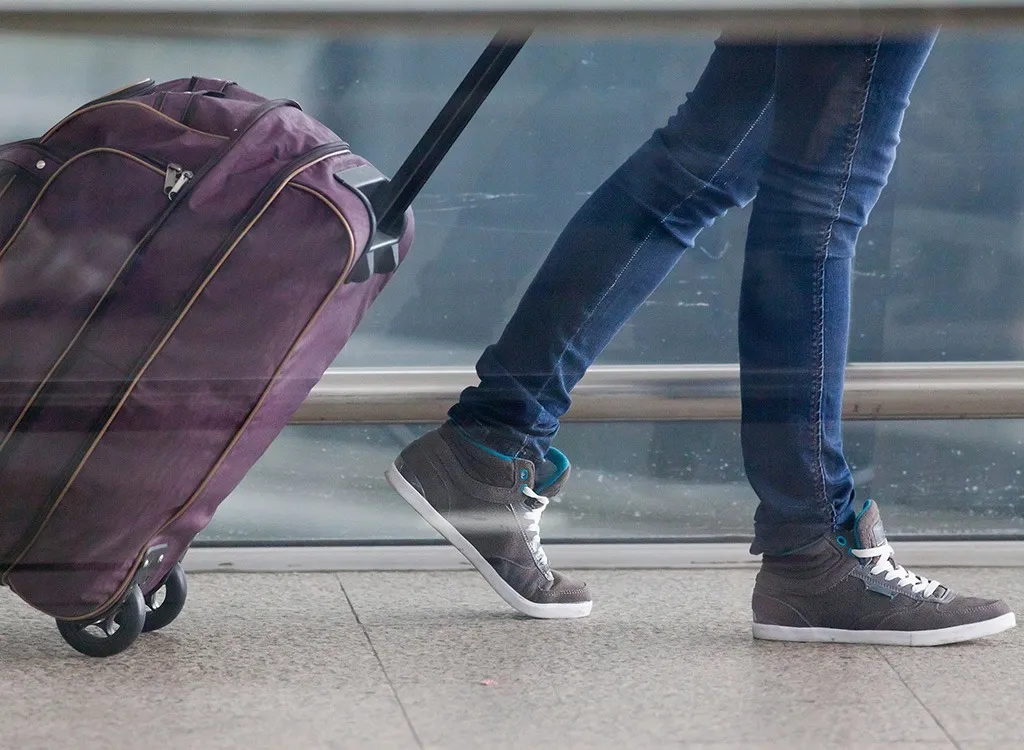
(484, 479)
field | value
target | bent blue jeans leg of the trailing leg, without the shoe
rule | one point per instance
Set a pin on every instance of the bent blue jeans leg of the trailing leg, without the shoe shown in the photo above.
(618, 248)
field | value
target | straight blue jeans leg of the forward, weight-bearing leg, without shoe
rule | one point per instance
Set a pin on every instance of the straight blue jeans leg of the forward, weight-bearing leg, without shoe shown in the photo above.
(838, 114)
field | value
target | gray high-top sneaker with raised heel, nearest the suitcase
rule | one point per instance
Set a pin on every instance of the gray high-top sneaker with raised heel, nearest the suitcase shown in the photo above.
(490, 507)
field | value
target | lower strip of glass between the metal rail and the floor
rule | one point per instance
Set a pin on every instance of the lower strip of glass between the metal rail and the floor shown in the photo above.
(655, 481)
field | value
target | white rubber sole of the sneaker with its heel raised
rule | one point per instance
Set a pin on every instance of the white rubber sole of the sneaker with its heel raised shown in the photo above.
(511, 597)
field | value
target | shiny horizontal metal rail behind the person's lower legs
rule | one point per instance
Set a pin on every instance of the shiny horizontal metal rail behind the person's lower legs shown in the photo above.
(675, 393)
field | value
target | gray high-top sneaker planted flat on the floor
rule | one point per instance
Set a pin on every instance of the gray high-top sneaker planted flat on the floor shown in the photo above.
(847, 589)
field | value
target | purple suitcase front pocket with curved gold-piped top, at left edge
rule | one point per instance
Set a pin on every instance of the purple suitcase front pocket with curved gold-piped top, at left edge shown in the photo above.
(79, 234)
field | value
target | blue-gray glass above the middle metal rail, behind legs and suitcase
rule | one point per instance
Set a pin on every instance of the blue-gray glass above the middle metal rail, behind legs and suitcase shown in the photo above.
(938, 270)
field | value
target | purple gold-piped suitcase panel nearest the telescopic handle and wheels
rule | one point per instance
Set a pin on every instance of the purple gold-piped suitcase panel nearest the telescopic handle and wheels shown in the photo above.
(188, 406)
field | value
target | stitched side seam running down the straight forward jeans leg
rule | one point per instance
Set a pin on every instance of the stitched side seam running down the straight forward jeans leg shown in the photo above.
(819, 405)
